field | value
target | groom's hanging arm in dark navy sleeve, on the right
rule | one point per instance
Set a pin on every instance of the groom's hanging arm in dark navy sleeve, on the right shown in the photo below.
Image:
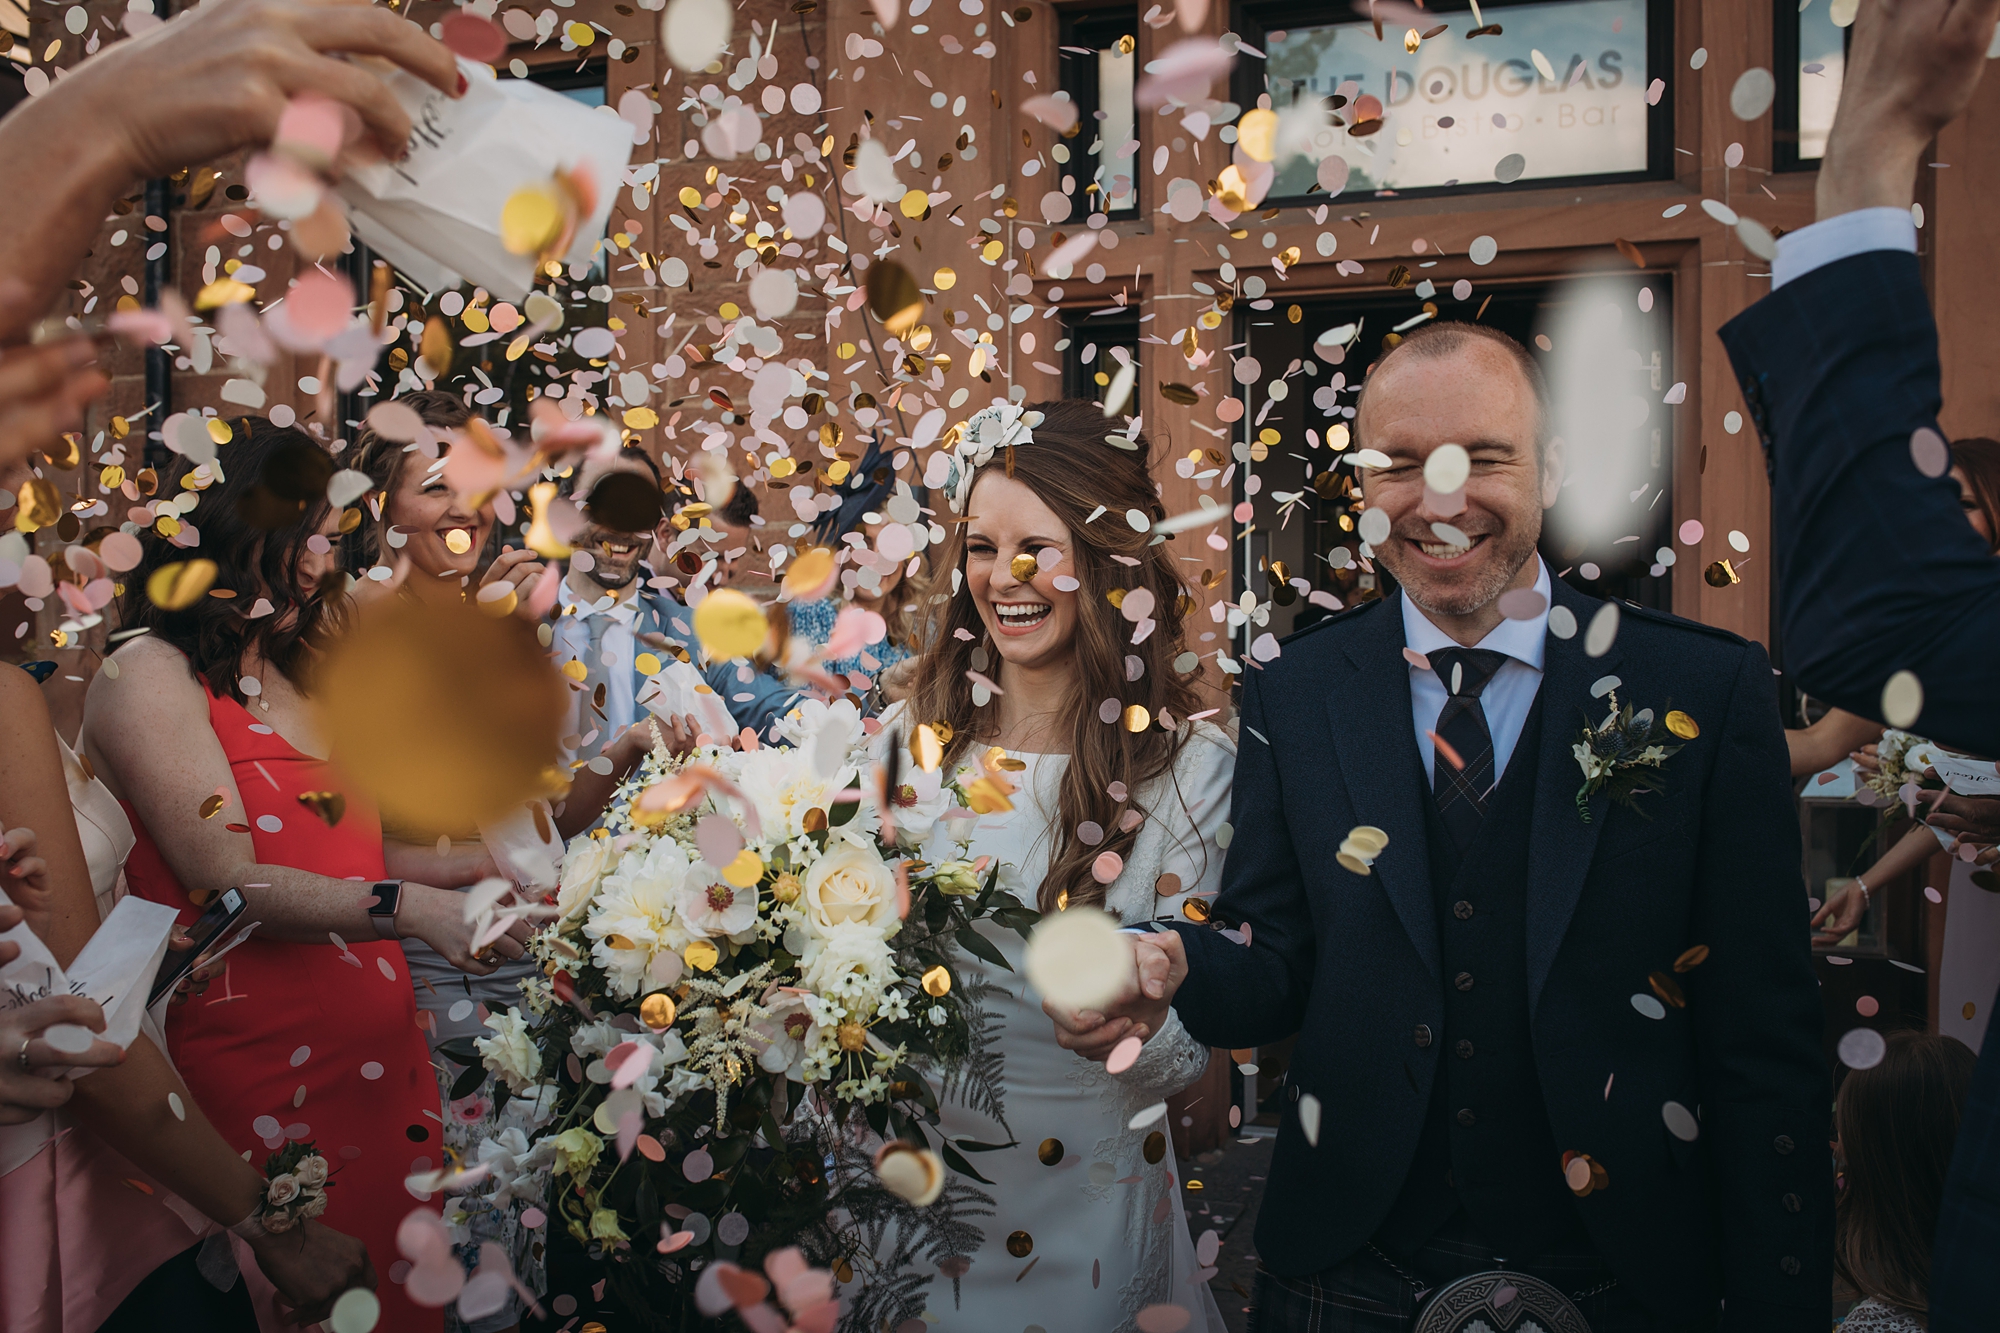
(1757, 1022)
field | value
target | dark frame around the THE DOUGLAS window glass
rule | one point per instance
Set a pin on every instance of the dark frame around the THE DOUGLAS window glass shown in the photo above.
(1255, 19)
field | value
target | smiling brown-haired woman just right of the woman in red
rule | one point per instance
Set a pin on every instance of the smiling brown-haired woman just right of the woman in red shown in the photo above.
(413, 519)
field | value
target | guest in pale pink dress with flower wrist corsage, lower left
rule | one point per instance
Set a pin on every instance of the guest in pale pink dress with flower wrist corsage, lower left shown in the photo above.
(87, 1248)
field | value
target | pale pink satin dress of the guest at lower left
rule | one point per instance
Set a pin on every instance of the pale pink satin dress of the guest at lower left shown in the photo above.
(83, 1226)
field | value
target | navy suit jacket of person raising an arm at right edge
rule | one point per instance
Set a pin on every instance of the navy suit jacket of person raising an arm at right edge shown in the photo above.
(1879, 573)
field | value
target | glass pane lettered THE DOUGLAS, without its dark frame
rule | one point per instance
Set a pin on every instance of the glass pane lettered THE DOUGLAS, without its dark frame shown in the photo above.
(1459, 105)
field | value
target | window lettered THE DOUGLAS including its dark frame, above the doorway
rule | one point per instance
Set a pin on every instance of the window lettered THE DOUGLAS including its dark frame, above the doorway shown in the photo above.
(1539, 93)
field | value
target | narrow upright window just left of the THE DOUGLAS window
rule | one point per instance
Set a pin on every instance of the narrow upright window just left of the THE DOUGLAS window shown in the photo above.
(1099, 69)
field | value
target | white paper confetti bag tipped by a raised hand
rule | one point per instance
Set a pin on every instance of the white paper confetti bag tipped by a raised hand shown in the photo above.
(437, 213)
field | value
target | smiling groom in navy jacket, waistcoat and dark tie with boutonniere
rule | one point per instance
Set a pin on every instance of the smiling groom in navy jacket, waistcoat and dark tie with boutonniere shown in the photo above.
(1575, 1048)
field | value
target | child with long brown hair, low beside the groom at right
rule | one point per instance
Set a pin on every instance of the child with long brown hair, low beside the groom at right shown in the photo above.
(1897, 1124)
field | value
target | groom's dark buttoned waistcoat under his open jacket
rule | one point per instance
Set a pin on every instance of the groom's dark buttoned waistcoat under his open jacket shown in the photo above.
(1487, 1142)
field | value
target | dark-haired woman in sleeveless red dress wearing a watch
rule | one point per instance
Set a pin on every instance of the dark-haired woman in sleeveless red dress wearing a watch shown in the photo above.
(203, 732)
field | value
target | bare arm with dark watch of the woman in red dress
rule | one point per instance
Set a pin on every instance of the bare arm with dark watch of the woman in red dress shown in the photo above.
(147, 732)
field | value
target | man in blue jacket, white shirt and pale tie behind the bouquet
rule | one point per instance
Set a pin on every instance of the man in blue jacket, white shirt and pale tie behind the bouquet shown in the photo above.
(611, 613)
